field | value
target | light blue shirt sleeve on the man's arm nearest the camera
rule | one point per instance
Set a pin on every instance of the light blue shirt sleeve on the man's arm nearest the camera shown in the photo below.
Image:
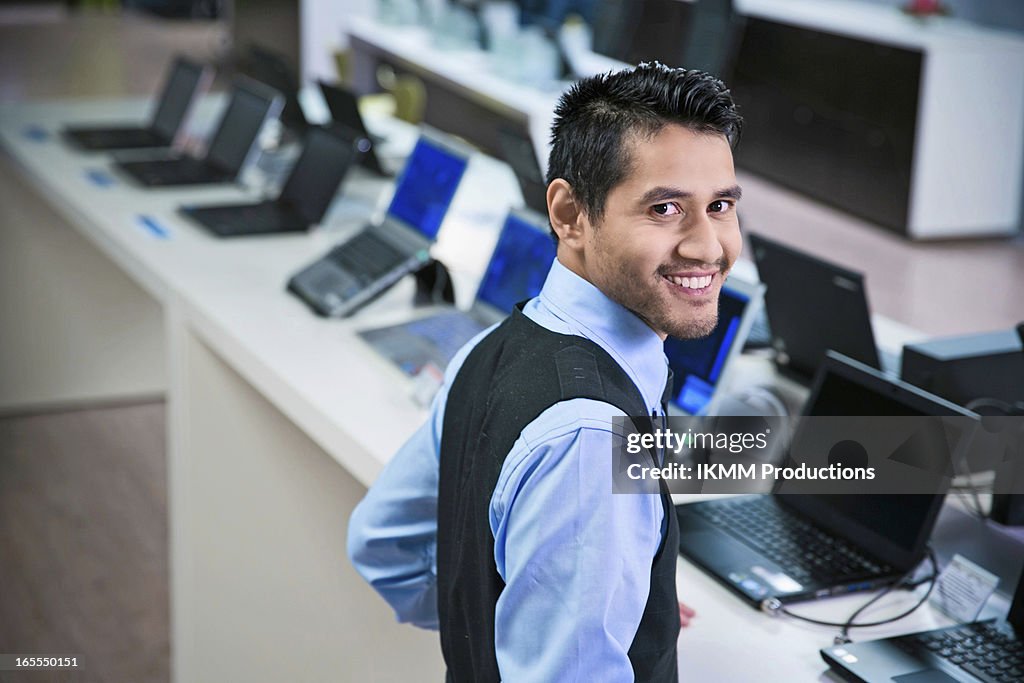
(575, 558)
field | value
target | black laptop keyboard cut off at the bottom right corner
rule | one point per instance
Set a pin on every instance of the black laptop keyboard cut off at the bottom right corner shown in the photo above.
(984, 651)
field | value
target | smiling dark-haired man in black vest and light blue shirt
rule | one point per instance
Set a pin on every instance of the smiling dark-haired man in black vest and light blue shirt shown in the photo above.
(496, 523)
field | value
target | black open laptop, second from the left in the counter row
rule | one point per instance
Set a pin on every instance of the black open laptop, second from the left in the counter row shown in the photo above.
(233, 144)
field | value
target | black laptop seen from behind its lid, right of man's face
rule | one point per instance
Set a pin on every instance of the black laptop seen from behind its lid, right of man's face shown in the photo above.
(814, 307)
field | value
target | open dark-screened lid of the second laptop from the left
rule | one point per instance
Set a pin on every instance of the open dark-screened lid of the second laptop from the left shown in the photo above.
(251, 105)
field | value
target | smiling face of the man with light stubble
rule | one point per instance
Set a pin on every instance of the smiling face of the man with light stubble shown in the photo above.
(669, 234)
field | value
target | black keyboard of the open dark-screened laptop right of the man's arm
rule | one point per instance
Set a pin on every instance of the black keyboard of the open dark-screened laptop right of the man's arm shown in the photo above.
(803, 551)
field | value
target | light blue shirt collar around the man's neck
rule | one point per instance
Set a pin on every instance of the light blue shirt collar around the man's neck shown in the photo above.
(588, 313)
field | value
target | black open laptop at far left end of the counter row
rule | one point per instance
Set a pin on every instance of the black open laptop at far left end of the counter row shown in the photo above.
(187, 81)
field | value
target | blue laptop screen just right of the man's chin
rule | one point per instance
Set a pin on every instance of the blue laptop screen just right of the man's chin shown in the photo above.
(698, 364)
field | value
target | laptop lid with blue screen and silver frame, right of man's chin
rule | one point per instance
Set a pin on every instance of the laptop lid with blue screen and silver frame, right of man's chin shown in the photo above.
(699, 366)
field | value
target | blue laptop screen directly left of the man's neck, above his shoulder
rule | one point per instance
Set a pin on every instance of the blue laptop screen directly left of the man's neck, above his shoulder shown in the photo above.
(520, 265)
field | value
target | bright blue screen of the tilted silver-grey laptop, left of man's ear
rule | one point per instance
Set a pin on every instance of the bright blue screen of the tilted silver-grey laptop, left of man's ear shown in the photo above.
(426, 188)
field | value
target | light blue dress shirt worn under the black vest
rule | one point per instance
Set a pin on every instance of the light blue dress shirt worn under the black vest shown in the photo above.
(576, 560)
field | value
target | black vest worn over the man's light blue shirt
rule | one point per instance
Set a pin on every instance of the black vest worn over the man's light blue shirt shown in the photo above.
(509, 379)
